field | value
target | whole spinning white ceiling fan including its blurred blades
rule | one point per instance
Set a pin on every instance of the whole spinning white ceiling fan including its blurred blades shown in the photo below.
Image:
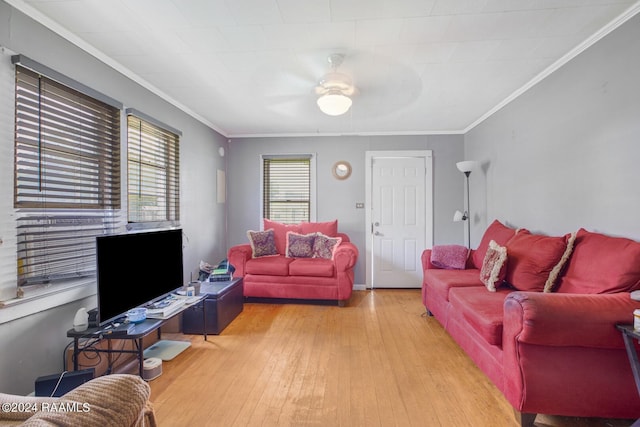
(383, 86)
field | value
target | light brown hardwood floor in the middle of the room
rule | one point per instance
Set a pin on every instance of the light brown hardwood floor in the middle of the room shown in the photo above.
(376, 362)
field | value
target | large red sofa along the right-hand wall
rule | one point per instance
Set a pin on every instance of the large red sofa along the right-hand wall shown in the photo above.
(546, 337)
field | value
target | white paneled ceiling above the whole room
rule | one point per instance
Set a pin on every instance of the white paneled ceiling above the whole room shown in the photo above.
(249, 67)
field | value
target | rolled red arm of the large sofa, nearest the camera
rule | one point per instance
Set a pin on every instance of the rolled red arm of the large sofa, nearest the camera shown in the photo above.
(567, 320)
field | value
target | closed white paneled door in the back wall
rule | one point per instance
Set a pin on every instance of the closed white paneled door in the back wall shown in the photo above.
(400, 218)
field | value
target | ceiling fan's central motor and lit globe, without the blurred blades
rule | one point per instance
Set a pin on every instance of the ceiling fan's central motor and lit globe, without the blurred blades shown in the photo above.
(335, 89)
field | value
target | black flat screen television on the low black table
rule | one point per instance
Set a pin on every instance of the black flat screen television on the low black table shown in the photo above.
(136, 268)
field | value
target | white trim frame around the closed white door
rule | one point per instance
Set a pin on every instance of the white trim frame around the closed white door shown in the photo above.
(370, 156)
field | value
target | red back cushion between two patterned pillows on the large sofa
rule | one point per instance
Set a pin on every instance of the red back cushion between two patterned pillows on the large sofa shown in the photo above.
(532, 257)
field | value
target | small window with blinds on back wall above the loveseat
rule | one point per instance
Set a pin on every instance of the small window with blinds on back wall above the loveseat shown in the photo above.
(287, 188)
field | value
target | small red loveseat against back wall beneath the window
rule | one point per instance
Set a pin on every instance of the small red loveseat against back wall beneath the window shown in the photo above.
(281, 276)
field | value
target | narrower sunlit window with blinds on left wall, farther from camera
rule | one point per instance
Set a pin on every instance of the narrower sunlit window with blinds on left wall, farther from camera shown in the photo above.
(153, 172)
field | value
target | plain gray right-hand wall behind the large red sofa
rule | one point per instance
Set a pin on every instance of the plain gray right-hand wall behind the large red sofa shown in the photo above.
(564, 155)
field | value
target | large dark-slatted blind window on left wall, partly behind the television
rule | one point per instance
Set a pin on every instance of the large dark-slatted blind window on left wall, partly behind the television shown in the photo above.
(67, 177)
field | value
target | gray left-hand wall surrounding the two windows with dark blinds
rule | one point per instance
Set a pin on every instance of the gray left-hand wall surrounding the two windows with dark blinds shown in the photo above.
(33, 345)
